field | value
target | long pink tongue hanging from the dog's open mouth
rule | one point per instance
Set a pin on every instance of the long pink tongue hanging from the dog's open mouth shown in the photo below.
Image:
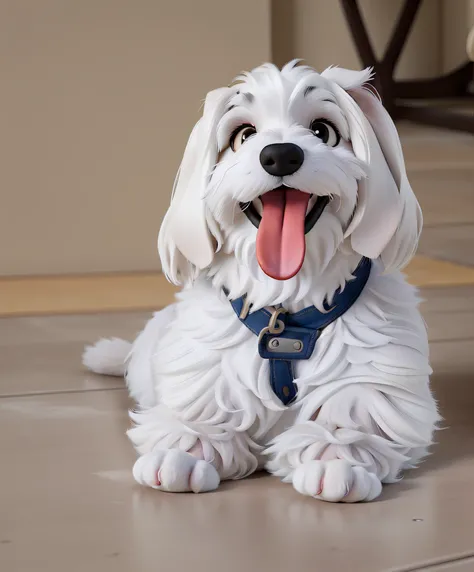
(280, 238)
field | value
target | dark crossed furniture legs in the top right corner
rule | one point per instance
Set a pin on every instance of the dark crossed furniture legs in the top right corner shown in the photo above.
(395, 94)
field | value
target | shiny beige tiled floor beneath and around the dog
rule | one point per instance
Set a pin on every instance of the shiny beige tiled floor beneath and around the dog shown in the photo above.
(67, 499)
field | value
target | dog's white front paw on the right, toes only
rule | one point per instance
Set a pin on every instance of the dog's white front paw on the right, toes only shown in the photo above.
(336, 481)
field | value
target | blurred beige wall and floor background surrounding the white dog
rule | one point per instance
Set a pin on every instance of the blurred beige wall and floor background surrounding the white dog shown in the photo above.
(98, 98)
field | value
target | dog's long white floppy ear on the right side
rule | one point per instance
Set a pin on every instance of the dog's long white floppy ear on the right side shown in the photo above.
(387, 221)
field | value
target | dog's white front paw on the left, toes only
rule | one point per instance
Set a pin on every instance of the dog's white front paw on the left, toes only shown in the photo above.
(175, 471)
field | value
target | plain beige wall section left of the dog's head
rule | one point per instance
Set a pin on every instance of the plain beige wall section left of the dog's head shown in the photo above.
(97, 100)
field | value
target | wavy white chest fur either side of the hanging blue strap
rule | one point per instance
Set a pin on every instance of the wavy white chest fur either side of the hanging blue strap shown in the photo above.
(207, 369)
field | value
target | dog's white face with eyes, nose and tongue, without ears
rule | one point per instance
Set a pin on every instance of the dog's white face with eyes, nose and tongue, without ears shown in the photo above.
(285, 154)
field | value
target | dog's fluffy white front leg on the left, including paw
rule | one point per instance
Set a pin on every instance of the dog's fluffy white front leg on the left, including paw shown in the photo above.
(179, 456)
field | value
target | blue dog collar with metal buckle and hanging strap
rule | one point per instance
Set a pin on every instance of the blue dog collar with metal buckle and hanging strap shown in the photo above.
(284, 337)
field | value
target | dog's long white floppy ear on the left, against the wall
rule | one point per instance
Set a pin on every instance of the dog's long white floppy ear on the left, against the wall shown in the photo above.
(185, 242)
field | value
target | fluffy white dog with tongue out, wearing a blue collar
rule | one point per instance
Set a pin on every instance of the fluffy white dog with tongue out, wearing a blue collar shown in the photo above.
(291, 218)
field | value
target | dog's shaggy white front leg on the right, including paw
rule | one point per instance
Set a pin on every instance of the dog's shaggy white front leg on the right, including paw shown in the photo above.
(358, 439)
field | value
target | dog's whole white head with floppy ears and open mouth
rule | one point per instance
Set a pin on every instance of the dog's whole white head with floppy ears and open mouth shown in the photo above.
(286, 168)
